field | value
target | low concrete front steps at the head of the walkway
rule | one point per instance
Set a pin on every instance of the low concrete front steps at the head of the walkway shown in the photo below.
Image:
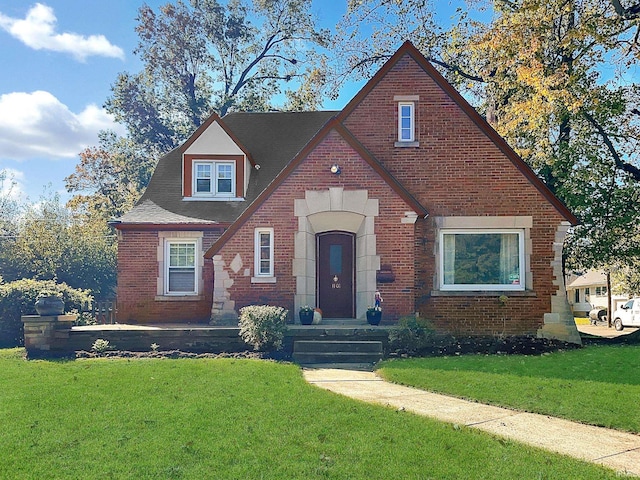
(335, 351)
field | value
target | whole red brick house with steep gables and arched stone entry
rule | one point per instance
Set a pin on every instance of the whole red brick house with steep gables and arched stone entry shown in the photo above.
(406, 191)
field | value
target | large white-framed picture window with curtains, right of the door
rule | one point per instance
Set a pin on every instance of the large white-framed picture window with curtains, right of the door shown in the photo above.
(473, 259)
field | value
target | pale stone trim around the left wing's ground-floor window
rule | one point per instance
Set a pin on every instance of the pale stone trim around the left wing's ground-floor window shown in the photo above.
(165, 238)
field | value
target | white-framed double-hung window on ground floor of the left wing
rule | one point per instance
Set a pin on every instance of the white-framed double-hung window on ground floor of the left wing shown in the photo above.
(181, 267)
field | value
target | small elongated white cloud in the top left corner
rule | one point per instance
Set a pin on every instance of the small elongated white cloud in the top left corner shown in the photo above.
(37, 30)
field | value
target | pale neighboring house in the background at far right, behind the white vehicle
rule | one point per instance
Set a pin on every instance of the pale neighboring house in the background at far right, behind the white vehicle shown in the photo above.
(588, 291)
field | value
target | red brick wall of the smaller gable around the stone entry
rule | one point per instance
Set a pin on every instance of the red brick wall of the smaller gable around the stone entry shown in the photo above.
(394, 239)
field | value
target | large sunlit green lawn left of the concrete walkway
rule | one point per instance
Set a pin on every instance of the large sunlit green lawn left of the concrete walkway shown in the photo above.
(231, 419)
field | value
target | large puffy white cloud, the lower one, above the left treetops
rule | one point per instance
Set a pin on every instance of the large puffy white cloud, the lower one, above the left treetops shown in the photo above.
(38, 125)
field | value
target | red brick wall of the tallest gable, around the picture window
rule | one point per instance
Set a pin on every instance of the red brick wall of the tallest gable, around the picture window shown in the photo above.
(457, 171)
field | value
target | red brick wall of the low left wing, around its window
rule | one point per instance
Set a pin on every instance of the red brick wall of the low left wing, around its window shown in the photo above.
(137, 279)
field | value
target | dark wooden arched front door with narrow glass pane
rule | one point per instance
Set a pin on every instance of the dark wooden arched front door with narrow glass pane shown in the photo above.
(336, 274)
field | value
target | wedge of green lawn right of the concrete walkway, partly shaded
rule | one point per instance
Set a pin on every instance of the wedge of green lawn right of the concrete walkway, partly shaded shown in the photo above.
(598, 385)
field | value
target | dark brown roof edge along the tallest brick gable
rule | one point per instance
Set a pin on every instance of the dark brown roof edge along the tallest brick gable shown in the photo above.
(408, 48)
